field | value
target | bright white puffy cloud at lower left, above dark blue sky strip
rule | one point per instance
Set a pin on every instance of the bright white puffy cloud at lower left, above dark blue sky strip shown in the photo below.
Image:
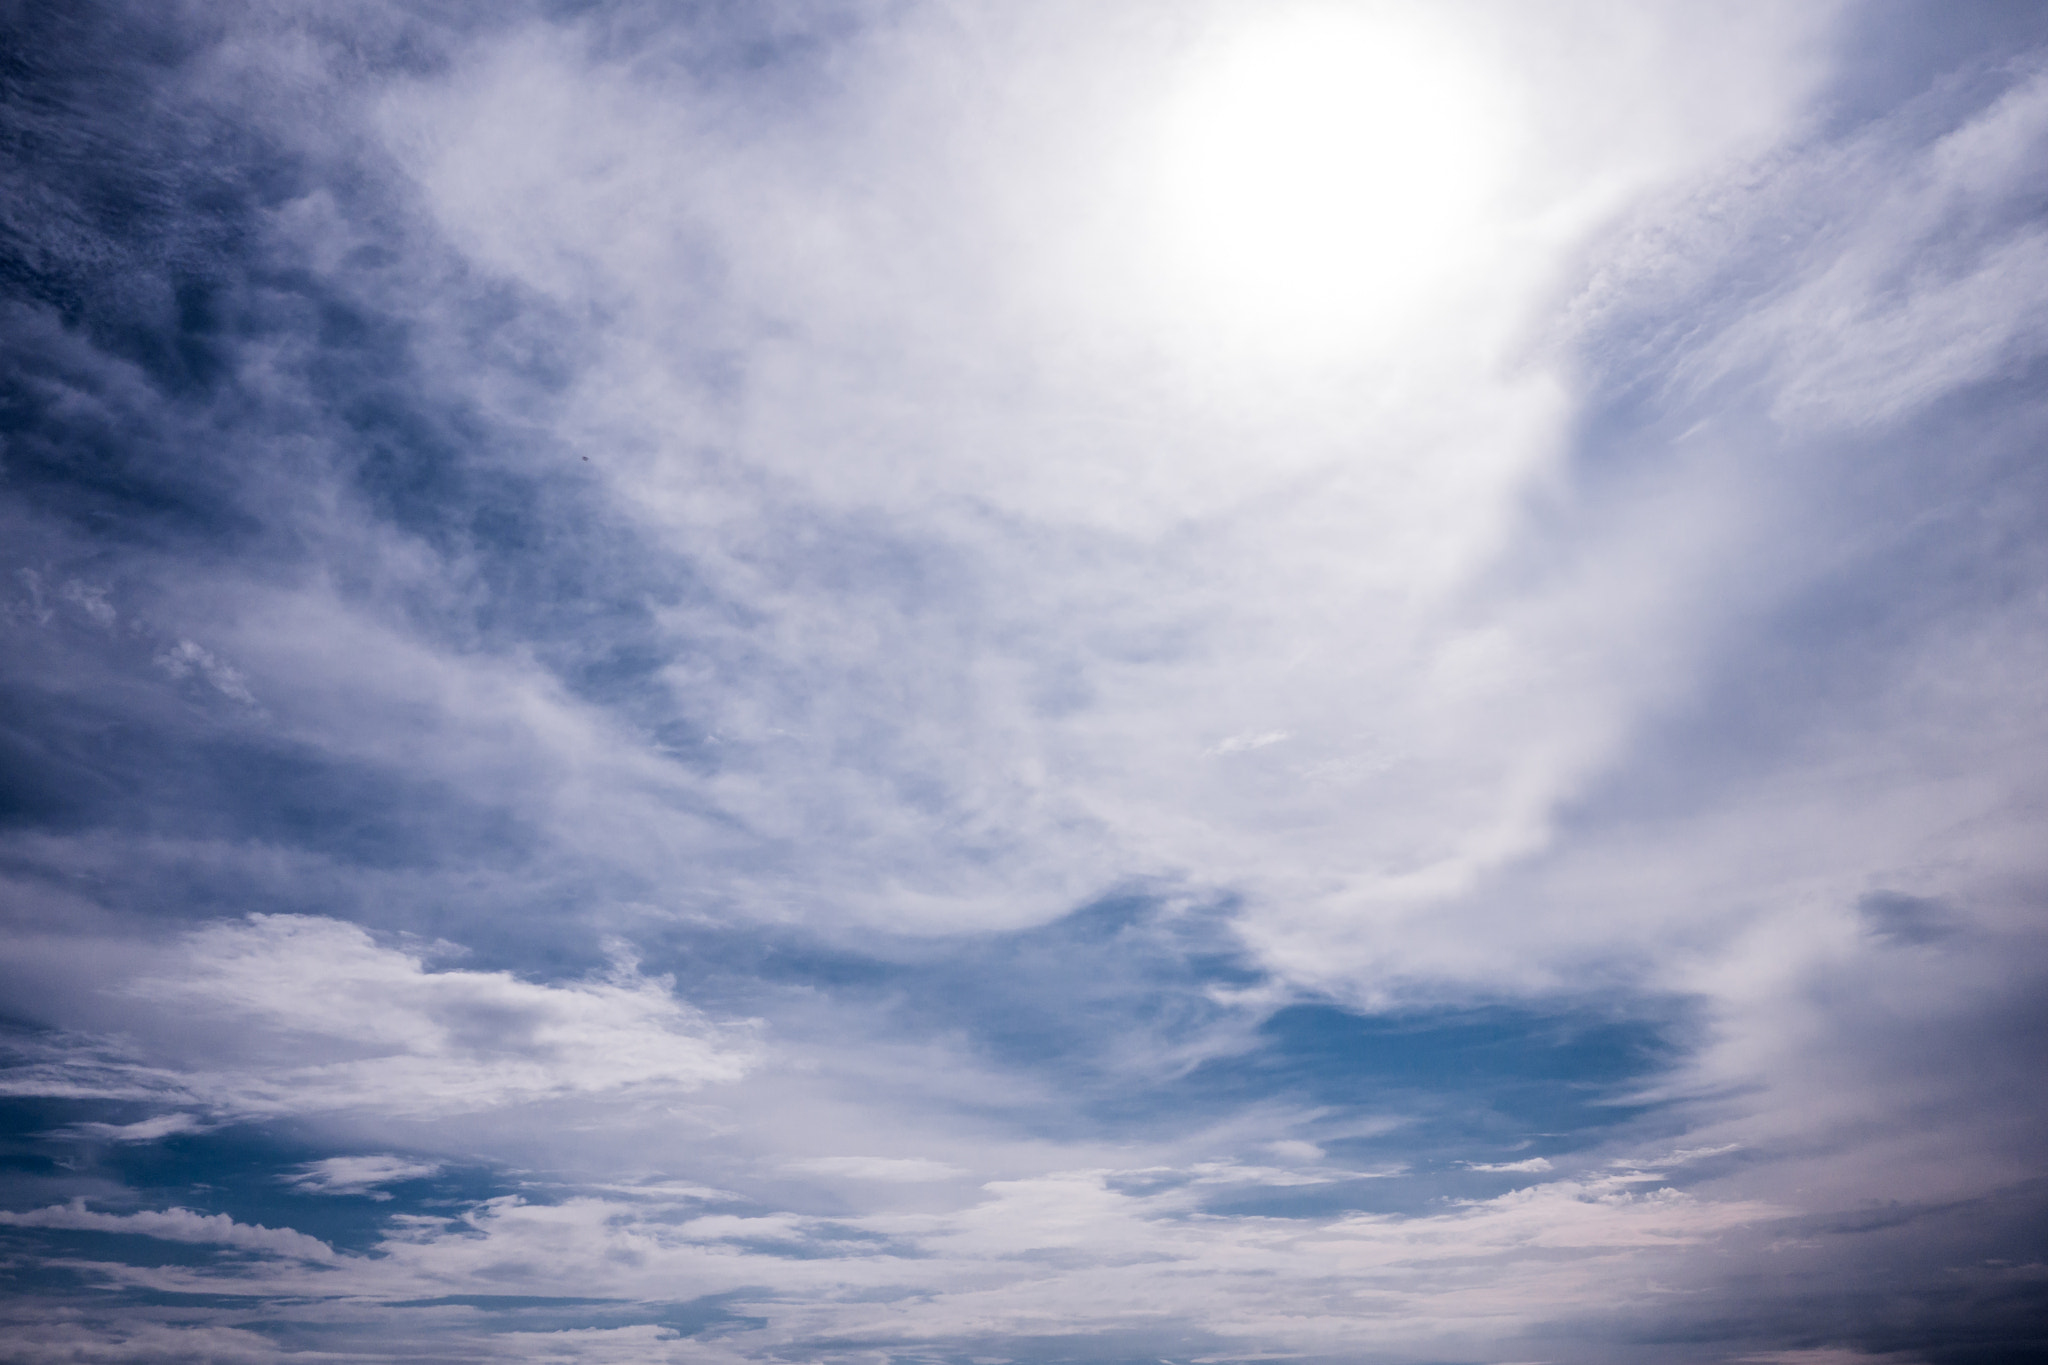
(314, 1016)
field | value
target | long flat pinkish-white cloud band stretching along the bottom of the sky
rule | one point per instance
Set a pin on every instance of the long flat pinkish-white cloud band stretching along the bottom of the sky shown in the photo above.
(1068, 1253)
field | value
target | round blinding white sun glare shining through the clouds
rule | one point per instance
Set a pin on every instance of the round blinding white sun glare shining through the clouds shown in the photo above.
(1322, 175)
